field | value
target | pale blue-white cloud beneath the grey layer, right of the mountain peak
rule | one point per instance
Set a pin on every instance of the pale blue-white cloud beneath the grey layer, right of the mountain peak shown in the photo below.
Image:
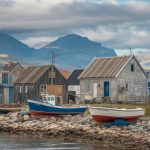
(120, 36)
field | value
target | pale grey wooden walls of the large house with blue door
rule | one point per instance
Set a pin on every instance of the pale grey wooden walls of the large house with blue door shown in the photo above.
(137, 84)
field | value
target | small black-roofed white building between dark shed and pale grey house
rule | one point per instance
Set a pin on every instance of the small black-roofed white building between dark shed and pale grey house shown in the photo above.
(73, 85)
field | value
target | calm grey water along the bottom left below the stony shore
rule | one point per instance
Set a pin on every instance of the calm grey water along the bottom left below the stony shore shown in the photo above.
(13, 142)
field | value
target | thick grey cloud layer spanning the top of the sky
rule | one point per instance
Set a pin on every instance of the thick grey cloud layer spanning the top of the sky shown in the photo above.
(34, 15)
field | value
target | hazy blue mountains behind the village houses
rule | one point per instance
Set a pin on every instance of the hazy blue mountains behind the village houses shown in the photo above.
(71, 51)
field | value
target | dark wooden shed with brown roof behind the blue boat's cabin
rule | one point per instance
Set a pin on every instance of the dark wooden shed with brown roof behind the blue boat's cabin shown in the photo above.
(37, 80)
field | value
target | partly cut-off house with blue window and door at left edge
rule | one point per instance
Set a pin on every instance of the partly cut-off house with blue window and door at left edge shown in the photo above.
(9, 74)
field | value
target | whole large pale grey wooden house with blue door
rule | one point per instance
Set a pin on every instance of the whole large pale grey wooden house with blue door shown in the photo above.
(115, 79)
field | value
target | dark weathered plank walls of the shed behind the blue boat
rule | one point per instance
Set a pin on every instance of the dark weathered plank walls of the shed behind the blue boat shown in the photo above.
(33, 90)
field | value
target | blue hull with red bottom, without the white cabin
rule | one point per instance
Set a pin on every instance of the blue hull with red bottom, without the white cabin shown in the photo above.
(40, 108)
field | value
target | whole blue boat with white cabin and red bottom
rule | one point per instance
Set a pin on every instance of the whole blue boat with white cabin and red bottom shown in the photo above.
(48, 107)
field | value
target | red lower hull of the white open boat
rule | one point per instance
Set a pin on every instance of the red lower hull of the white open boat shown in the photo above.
(106, 119)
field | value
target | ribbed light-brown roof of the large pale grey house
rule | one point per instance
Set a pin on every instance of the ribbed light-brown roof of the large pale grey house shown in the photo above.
(104, 67)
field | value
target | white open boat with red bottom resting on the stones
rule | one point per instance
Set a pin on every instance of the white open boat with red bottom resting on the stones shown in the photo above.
(106, 115)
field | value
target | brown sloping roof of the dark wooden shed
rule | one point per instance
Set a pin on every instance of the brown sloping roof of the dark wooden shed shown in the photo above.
(32, 74)
